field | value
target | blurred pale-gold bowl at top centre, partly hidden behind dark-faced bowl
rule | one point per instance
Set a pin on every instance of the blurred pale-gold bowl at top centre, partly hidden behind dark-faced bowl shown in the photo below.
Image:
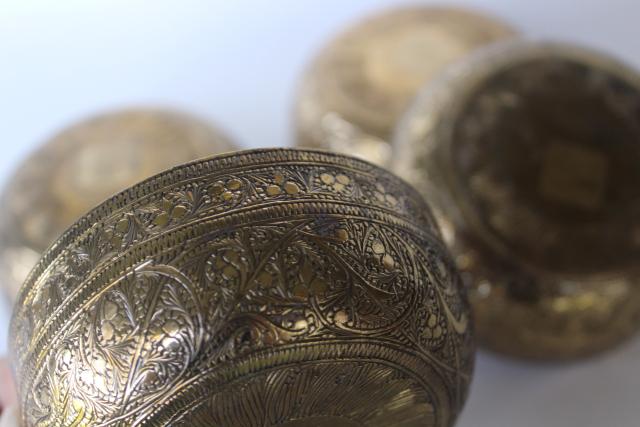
(357, 88)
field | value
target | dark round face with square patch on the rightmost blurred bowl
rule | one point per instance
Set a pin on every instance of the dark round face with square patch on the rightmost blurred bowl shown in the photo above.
(548, 153)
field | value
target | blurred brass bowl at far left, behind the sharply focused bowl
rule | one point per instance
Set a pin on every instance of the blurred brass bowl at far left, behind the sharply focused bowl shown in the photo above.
(84, 165)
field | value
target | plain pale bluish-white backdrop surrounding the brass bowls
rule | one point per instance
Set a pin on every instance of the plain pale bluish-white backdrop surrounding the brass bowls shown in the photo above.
(236, 62)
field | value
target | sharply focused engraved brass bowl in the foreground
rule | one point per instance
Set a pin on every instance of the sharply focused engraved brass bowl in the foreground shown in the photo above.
(263, 288)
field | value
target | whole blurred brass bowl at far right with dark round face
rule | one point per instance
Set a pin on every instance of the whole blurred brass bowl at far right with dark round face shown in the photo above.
(529, 154)
